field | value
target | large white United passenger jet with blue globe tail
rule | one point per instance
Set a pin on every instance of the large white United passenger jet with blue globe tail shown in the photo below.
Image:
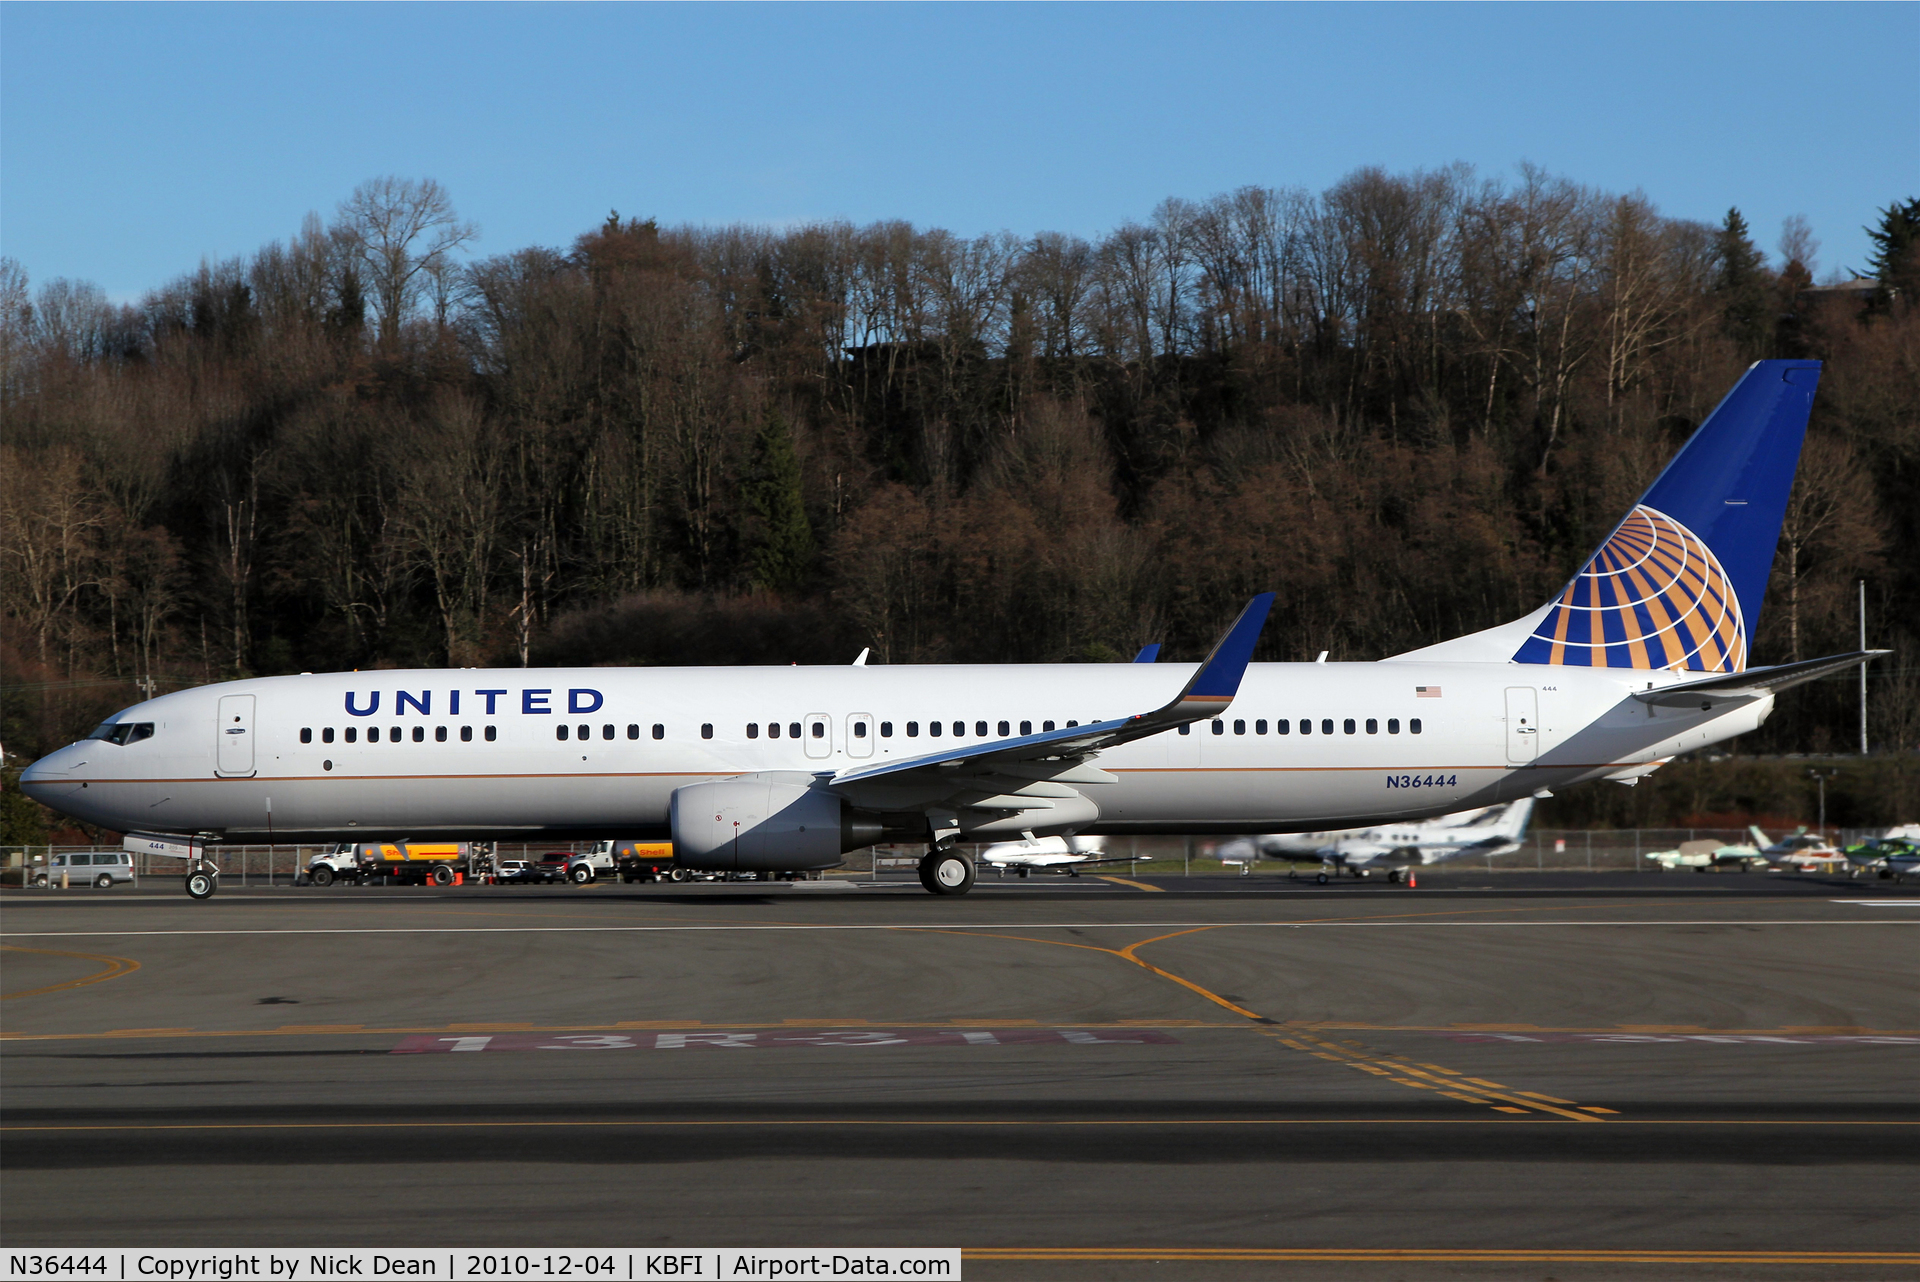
(1644, 655)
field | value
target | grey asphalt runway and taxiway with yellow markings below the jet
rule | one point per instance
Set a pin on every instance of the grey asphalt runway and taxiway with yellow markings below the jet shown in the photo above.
(1516, 1076)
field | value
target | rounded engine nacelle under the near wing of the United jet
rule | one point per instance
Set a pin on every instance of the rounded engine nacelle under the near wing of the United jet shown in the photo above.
(765, 824)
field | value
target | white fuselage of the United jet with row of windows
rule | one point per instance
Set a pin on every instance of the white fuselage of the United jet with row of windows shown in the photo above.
(481, 753)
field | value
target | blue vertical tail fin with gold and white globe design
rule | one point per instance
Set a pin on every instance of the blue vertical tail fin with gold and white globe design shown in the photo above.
(1679, 584)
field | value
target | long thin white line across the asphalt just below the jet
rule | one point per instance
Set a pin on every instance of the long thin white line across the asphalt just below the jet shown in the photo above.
(930, 926)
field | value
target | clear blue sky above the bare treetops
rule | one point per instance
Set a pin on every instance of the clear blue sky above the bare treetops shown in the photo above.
(139, 139)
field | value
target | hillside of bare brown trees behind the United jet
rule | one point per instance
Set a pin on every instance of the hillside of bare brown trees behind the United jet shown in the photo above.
(1408, 404)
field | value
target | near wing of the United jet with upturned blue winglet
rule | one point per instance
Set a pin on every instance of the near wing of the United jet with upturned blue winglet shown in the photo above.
(1032, 765)
